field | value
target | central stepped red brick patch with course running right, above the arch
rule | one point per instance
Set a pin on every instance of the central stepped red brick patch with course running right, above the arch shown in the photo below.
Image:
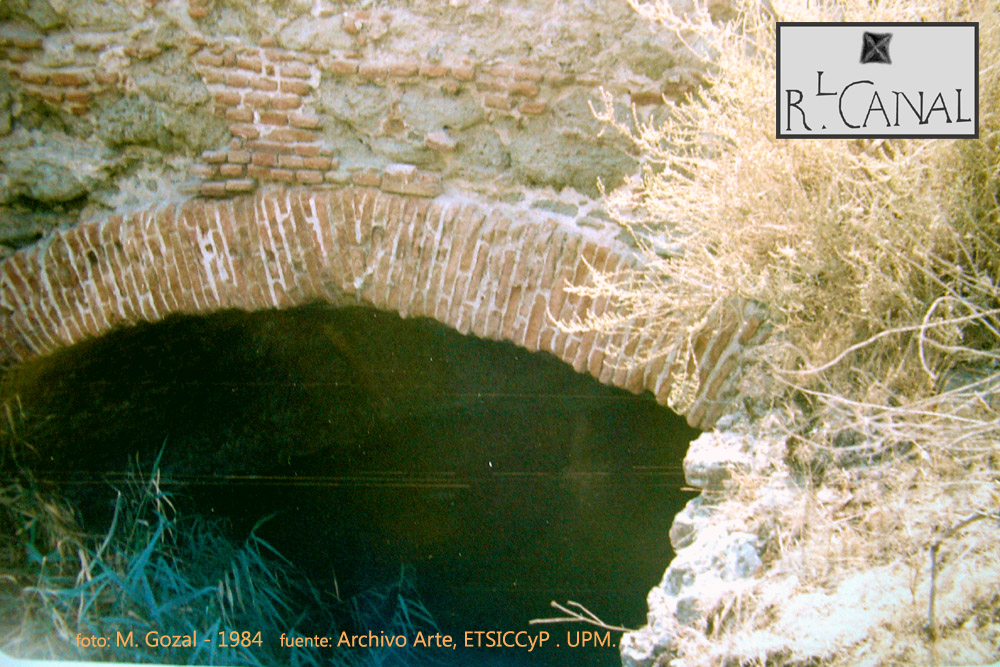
(265, 94)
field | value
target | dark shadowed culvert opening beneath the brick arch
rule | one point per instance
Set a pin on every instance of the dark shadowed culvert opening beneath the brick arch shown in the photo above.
(496, 480)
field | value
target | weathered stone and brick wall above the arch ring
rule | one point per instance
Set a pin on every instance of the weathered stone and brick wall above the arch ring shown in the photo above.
(113, 104)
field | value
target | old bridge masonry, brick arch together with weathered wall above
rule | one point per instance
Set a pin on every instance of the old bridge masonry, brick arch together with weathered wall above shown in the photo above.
(308, 152)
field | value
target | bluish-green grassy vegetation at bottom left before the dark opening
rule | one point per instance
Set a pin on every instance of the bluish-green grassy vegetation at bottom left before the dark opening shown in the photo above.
(155, 570)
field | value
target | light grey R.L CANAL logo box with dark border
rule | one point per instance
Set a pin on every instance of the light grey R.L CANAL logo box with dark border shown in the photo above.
(877, 80)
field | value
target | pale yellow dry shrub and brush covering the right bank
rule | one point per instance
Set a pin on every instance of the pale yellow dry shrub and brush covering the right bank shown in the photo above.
(879, 265)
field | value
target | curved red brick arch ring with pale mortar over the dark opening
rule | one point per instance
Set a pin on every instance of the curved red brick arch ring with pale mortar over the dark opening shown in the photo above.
(478, 269)
